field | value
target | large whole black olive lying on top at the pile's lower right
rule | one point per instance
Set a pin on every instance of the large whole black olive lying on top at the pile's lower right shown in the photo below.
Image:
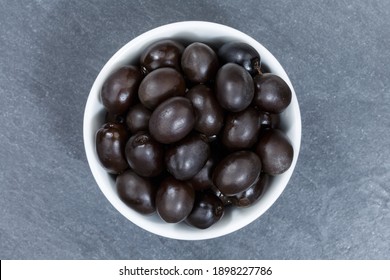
(237, 172)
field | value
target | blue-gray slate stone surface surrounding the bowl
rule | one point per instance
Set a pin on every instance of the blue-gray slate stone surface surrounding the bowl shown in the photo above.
(337, 54)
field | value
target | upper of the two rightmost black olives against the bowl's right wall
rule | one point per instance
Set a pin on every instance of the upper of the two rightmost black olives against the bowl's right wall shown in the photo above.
(272, 94)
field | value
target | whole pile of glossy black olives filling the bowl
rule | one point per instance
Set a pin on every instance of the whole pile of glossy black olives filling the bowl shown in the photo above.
(192, 130)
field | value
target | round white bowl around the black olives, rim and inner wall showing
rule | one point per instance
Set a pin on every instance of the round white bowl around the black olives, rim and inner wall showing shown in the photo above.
(188, 31)
